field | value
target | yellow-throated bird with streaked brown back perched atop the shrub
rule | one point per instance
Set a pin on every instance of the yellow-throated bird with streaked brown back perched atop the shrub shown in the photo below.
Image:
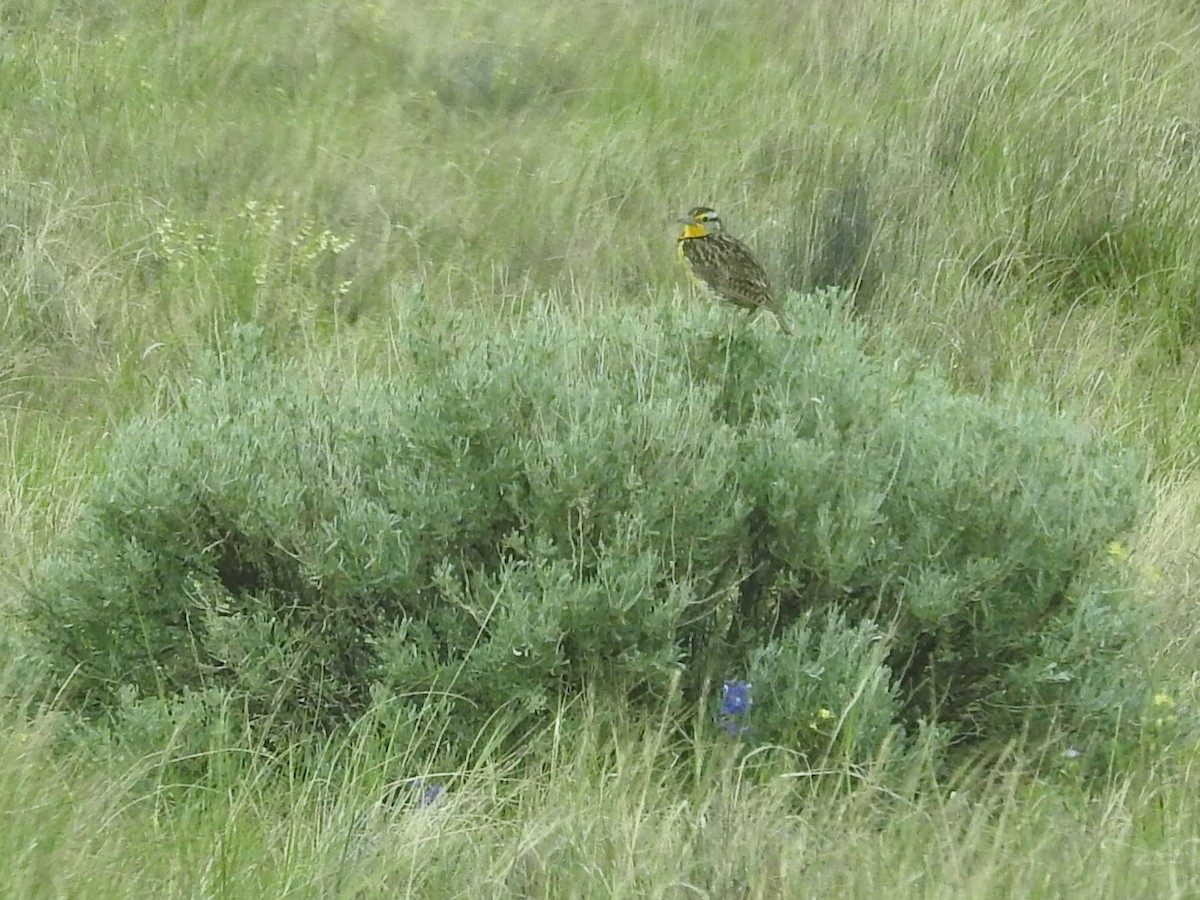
(725, 266)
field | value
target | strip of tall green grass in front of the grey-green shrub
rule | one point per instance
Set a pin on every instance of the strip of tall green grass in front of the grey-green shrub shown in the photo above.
(605, 812)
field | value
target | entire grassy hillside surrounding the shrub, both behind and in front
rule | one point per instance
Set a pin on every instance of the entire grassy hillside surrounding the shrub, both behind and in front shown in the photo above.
(1009, 188)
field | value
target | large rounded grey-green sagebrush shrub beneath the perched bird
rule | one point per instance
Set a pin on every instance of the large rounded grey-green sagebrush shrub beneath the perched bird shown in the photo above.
(605, 505)
